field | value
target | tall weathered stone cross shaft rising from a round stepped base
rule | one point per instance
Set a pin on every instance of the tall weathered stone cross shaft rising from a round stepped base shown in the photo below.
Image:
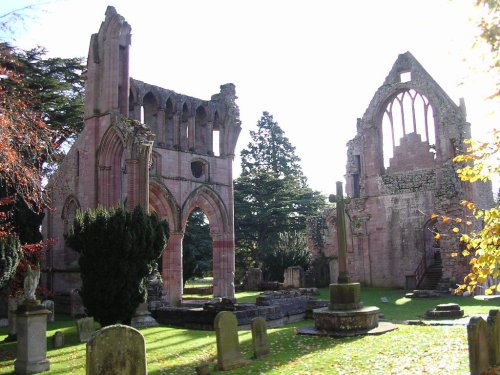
(341, 232)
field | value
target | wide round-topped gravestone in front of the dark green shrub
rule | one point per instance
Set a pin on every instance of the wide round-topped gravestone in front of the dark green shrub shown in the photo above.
(116, 349)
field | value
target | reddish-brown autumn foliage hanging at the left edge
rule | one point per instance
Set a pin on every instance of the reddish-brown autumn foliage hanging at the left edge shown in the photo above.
(24, 146)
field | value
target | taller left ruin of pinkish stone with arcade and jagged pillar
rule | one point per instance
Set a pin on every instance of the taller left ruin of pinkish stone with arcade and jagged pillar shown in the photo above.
(168, 164)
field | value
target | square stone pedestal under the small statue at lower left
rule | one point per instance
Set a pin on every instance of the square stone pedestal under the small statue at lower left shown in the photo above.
(31, 325)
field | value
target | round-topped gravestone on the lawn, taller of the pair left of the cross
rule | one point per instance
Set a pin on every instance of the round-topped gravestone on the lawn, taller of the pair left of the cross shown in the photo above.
(228, 347)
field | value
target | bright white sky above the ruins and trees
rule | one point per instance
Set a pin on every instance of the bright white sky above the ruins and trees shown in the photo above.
(314, 65)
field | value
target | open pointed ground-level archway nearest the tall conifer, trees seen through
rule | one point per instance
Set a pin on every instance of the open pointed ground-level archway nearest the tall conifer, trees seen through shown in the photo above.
(197, 254)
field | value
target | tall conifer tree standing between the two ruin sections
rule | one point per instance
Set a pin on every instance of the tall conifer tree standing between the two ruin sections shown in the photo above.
(271, 196)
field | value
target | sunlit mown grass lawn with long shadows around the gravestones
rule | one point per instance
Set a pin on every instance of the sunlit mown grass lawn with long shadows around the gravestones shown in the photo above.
(408, 350)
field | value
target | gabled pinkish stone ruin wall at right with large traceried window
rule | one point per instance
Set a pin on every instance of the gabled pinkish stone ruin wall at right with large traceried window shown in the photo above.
(394, 199)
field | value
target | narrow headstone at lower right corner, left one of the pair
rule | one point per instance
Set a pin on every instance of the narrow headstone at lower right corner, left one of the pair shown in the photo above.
(477, 337)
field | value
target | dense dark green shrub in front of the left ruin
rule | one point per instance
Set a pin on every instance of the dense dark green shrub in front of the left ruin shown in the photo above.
(118, 250)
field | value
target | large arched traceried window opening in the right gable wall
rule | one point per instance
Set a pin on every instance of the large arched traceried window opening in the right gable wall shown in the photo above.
(408, 131)
